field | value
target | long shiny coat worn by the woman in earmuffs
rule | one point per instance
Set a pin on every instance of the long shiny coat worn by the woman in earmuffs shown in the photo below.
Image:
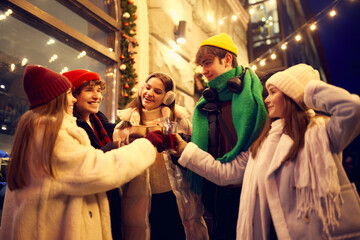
(136, 201)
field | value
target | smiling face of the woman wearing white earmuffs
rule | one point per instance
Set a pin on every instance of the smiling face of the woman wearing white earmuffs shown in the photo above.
(152, 93)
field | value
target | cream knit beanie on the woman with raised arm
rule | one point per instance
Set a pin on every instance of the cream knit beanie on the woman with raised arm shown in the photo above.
(293, 80)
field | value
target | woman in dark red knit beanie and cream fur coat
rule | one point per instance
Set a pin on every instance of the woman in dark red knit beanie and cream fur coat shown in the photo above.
(56, 179)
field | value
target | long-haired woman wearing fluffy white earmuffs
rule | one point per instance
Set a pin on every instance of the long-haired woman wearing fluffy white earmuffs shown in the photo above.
(158, 204)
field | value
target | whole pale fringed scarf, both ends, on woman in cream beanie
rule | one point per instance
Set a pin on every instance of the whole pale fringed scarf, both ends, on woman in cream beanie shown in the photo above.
(315, 176)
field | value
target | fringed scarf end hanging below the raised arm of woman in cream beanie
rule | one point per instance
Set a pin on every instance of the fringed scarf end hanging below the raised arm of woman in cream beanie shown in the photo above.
(316, 177)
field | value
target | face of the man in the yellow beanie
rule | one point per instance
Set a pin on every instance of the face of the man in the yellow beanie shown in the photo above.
(213, 66)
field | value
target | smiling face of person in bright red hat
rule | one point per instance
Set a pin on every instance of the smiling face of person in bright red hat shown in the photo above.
(88, 100)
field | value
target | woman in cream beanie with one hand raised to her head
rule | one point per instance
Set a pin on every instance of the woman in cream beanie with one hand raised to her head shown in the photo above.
(294, 185)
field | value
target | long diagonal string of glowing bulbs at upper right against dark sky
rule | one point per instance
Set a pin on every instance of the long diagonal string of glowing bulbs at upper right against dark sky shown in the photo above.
(296, 36)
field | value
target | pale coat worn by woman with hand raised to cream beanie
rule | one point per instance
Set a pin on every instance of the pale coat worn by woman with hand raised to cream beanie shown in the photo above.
(275, 197)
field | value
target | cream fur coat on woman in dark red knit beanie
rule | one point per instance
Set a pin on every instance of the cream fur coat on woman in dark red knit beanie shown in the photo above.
(73, 206)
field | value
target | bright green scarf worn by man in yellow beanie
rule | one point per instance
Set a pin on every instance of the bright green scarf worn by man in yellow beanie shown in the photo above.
(248, 115)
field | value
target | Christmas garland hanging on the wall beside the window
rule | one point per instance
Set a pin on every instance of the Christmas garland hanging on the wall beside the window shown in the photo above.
(128, 76)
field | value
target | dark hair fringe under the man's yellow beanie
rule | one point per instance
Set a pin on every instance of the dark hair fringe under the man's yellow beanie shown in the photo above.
(214, 52)
